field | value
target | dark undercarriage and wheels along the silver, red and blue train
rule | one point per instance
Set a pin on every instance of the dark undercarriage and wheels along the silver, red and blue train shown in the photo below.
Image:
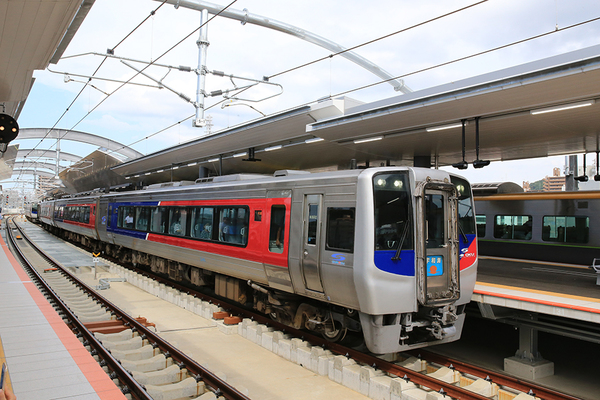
(334, 323)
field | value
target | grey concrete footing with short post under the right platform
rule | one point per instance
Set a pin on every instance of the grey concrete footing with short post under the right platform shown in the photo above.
(527, 362)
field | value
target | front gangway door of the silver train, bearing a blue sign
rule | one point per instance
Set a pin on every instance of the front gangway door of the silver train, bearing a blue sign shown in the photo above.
(437, 241)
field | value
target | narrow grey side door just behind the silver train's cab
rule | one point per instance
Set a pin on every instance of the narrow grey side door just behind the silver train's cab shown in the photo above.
(311, 242)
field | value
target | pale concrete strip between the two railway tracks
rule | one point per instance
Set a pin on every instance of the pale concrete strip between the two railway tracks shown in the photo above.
(250, 368)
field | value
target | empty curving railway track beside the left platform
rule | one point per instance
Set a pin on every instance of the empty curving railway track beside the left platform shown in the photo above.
(167, 373)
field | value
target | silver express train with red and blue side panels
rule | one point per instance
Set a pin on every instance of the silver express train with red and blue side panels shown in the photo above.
(388, 251)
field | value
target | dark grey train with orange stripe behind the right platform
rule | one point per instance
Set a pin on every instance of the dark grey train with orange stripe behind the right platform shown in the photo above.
(552, 226)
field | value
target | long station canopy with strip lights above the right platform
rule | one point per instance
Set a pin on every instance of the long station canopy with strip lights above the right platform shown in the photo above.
(542, 108)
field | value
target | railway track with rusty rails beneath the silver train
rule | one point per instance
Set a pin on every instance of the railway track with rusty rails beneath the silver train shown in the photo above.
(416, 375)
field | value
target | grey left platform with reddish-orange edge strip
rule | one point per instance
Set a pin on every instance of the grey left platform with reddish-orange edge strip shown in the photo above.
(44, 358)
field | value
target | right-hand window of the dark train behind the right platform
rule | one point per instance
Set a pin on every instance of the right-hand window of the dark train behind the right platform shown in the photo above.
(566, 229)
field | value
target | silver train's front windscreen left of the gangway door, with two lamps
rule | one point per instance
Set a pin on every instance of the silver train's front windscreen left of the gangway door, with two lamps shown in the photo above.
(392, 211)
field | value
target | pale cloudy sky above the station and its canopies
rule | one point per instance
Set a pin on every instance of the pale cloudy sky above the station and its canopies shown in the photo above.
(147, 118)
